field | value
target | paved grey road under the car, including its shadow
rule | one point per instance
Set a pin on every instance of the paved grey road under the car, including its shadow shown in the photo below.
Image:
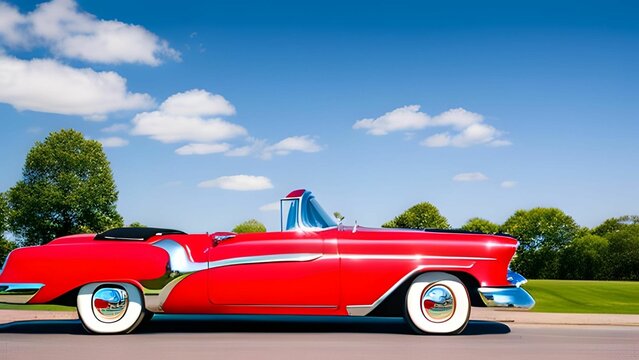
(289, 338)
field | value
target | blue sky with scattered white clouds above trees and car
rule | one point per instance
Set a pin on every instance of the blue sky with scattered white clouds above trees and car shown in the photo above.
(479, 108)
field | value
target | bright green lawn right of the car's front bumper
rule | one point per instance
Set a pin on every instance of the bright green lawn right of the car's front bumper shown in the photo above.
(574, 296)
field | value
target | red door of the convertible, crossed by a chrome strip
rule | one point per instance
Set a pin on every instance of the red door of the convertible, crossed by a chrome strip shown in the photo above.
(282, 269)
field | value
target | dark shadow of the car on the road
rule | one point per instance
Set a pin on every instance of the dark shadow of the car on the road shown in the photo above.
(252, 324)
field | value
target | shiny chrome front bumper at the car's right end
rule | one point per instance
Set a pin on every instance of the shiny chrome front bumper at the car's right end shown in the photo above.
(512, 297)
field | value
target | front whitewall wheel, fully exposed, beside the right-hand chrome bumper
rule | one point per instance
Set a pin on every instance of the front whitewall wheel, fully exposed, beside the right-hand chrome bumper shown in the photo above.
(437, 303)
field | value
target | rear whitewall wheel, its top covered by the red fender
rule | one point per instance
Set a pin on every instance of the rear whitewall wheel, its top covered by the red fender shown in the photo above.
(110, 308)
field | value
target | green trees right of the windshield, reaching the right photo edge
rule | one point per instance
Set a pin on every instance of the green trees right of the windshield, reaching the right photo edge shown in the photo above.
(551, 244)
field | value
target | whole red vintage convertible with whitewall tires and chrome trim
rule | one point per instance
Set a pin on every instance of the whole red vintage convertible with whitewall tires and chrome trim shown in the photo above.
(313, 266)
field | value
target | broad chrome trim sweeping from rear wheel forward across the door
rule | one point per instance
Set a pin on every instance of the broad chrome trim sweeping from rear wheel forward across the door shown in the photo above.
(180, 265)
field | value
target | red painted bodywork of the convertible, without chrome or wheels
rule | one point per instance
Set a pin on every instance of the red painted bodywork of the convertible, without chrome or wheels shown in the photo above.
(354, 268)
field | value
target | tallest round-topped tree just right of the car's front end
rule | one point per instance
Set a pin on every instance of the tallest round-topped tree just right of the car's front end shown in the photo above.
(542, 234)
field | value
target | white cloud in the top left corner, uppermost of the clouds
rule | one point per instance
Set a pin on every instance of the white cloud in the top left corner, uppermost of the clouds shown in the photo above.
(71, 33)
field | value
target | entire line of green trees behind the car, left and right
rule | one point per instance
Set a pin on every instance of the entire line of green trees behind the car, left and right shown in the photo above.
(67, 187)
